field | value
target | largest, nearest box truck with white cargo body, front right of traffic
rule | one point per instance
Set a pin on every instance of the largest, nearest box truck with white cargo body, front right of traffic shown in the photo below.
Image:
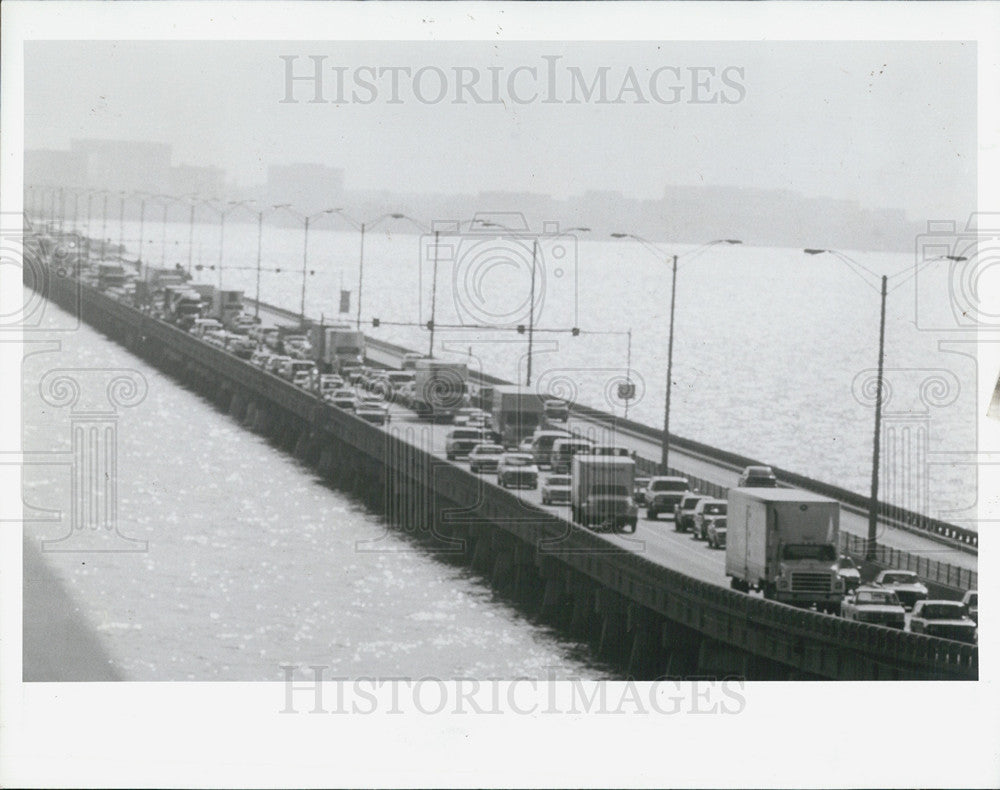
(784, 542)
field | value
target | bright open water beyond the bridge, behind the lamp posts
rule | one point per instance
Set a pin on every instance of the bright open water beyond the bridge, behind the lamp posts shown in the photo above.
(768, 342)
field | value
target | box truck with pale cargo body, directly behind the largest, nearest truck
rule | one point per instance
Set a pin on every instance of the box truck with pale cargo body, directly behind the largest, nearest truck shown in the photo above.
(601, 492)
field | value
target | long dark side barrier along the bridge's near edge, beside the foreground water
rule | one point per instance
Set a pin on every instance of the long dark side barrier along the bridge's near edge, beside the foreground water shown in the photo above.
(819, 644)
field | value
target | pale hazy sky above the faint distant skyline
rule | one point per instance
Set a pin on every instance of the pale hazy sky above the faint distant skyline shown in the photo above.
(887, 124)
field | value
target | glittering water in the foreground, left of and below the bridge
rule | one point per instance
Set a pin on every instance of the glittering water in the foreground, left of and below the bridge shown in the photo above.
(252, 562)
